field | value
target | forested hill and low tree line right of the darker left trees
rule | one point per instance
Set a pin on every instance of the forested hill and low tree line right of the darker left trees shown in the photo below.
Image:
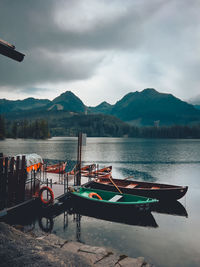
(109, 126)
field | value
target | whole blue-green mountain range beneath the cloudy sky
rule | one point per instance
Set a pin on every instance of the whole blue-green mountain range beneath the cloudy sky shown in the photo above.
(136, 108)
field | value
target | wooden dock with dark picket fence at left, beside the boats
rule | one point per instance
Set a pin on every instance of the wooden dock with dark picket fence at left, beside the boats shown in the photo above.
(19, 187)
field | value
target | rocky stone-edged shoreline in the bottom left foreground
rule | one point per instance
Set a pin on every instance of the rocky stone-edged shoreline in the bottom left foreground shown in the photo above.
(26, 249)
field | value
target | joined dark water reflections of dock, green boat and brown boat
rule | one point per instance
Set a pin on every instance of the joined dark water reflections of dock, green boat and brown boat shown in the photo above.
(44, 217)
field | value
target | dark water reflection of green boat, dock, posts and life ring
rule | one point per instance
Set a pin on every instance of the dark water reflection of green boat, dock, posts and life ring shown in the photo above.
(45, 217)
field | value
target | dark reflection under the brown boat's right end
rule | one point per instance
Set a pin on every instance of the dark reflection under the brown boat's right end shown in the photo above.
(171, 208)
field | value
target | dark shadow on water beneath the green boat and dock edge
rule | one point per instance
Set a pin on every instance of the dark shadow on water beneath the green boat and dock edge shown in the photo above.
(136, 217)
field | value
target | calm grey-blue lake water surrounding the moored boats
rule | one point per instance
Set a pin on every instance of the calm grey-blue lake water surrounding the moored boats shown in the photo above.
(176, 239)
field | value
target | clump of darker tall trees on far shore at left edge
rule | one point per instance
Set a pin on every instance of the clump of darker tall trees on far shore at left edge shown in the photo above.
(37, 129)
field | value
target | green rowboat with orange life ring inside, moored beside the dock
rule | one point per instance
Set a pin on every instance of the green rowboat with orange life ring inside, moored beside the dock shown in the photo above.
(108, 199)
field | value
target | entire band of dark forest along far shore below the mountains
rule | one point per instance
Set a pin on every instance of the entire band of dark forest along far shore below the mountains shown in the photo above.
(93, 126)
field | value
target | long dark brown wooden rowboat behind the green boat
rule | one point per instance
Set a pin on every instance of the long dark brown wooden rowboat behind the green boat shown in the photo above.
(146, 189)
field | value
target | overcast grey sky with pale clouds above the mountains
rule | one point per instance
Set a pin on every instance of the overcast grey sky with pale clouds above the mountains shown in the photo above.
(100, 49)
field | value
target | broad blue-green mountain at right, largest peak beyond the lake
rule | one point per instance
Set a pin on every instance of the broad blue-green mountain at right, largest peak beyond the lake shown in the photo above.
(148, 106)
